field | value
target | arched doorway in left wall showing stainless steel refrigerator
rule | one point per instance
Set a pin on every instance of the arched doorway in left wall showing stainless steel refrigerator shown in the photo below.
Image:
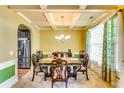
(24, 47)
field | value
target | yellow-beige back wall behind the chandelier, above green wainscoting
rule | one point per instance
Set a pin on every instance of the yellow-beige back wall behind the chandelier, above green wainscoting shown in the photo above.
(77, 41)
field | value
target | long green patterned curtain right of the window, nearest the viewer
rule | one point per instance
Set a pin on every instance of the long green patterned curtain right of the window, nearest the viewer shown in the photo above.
(109, 50)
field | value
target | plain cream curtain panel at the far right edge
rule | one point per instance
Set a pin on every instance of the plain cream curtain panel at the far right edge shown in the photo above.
(120, 41)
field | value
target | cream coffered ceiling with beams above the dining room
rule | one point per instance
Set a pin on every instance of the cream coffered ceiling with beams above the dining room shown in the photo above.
(75, 17)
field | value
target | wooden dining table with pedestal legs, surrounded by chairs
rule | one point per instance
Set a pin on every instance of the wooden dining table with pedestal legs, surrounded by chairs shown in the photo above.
(70, 62)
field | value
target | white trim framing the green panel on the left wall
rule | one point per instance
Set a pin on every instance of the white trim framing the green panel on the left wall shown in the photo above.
(10, 82)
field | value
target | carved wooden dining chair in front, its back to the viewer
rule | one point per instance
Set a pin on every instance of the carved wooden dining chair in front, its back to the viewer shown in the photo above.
(59, 71)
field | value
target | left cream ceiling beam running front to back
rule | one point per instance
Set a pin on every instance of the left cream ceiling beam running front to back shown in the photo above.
(48, 17)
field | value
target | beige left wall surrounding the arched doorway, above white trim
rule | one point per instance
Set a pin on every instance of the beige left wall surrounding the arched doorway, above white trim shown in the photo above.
(9, 22)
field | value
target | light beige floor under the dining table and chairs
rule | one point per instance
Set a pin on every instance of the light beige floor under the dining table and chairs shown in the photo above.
(81, 82)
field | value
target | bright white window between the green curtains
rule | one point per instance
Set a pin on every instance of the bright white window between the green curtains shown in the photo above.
(96, 44)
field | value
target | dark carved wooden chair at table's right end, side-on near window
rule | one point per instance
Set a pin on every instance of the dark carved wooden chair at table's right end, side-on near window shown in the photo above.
(84, 66)
